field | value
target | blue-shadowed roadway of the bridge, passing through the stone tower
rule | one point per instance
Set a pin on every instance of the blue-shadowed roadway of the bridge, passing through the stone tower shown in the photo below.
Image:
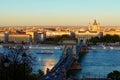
(58, 72)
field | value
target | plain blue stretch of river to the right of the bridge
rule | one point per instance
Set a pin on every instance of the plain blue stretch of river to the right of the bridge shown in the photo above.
(98, 63)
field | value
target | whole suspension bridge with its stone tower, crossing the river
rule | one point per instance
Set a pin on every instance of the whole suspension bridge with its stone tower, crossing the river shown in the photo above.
(67, 61)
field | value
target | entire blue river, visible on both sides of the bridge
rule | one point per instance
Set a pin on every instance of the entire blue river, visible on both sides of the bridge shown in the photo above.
(95, 63)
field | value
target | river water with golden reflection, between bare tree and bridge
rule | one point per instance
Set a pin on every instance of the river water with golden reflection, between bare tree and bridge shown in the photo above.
(44, 61)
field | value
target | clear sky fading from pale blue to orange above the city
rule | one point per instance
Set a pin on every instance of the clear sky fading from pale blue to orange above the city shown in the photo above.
(59, 12)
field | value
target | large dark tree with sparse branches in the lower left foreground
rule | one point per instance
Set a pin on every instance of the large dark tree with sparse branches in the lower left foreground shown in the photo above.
(19, 67)
